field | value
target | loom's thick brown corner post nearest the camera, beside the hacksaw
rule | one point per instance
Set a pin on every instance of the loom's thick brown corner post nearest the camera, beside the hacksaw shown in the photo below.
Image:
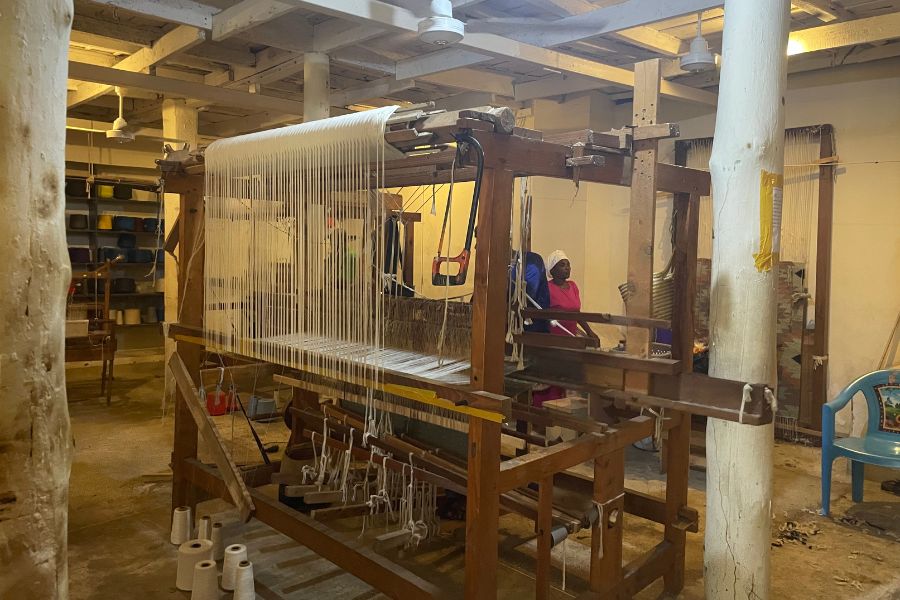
(488, 336)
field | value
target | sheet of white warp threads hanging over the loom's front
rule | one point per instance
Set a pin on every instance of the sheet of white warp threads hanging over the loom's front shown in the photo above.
(294, 230)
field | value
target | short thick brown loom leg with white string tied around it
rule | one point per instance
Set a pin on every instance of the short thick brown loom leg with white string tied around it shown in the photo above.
(606, 535)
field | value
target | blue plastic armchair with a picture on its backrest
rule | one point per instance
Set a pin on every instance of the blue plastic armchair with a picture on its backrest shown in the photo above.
(881, 444)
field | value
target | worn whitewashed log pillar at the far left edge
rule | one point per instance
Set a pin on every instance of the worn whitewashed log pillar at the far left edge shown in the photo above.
(35, 440)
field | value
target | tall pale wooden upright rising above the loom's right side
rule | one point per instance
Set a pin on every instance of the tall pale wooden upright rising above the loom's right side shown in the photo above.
(642, 218)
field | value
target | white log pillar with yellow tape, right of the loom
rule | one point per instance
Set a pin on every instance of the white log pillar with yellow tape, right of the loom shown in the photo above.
(748, 143)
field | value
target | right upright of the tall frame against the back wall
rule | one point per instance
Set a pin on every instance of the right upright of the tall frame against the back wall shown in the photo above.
(823, 275)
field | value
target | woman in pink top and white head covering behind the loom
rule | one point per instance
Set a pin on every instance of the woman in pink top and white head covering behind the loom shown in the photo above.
(564, 295)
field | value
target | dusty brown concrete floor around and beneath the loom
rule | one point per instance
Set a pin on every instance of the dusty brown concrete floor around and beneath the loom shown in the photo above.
(119, 518)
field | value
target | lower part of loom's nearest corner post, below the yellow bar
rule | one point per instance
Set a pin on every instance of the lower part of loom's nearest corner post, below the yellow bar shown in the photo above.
(482, 509)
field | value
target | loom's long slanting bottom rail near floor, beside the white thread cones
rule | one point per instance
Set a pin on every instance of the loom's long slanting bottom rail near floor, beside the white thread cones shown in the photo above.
(344, 550)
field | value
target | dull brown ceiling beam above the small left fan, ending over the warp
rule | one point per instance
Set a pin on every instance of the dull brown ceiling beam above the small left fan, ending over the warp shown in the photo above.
(178, 88)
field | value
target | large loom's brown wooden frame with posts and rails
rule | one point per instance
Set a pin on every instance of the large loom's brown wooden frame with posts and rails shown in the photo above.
(488, 476)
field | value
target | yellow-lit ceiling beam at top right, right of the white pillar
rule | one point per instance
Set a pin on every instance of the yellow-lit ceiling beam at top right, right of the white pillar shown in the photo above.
(850, 33)
